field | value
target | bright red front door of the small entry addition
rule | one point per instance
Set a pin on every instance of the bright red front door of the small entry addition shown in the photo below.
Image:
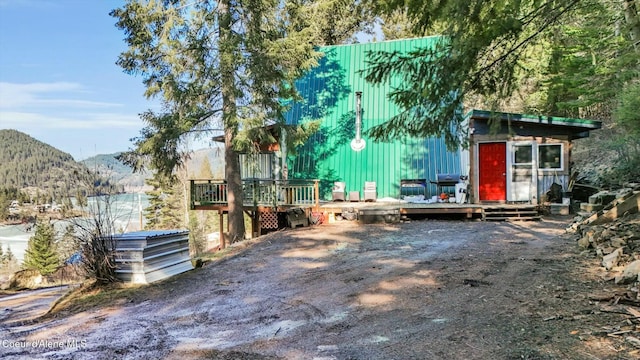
(492, 177)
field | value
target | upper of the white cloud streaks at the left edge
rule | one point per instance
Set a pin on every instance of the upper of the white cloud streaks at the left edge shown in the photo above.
(17, 96)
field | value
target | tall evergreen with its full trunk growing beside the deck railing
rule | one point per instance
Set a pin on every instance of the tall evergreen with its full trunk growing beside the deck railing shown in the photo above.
(216, 64)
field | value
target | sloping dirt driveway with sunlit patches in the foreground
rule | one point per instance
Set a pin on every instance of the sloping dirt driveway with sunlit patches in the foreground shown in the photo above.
(425, 289)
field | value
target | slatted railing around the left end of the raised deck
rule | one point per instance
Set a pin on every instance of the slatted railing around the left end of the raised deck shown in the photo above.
(257, 192)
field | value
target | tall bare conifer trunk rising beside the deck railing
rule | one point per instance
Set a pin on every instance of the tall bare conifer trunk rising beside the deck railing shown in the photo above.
(228, 50)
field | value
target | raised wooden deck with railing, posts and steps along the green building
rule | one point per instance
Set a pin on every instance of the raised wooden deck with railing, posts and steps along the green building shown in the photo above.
(264, 199)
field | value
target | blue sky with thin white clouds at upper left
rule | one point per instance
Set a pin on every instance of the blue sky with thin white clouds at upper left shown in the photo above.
(58, 79)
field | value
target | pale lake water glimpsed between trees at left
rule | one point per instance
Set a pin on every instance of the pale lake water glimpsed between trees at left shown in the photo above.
(125, 210)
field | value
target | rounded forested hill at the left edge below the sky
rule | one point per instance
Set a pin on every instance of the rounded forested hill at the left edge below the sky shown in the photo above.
(26, 162)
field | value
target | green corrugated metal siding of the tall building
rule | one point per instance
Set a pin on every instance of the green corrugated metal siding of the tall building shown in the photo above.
(330, 93)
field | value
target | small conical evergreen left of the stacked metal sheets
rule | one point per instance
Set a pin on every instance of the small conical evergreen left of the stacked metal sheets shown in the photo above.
(41, 254)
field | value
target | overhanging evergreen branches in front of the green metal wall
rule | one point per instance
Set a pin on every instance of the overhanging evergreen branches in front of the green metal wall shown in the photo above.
(479, 55)
